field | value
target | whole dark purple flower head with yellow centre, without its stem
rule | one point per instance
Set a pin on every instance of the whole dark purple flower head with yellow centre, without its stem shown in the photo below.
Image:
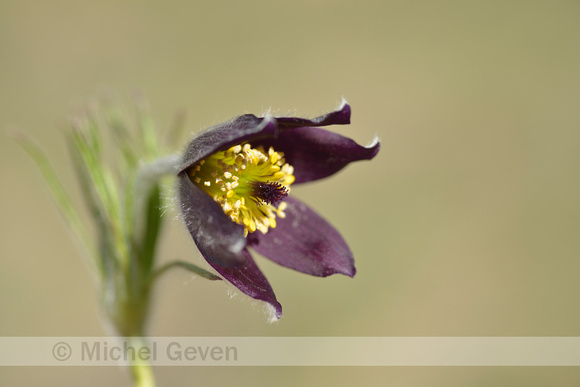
(234, 184)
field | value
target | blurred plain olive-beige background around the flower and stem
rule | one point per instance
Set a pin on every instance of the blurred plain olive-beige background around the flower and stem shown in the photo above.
(467, 223)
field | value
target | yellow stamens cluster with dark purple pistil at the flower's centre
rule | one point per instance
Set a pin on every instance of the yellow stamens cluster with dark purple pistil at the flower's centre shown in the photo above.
(249, 183)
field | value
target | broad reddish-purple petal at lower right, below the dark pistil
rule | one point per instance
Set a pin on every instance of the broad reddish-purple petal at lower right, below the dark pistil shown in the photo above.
(304, 241)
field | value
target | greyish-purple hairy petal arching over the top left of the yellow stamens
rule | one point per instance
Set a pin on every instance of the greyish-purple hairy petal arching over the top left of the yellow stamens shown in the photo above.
(241, 129)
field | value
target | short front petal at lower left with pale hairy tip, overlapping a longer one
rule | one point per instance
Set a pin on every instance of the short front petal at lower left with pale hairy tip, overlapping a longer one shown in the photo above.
(219, 240)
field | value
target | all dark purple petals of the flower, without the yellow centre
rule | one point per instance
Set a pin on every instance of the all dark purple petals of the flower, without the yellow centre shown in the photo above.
(303, 240)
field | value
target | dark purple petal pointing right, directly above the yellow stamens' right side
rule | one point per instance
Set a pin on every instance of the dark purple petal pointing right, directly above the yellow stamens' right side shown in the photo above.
(317, 153)
